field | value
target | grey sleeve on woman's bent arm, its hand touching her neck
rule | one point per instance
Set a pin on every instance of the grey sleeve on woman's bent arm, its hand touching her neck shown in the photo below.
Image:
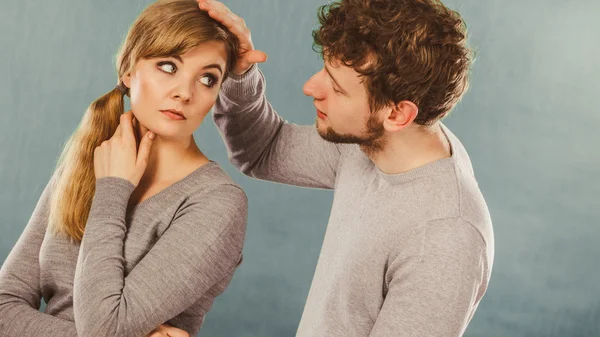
(202, 246)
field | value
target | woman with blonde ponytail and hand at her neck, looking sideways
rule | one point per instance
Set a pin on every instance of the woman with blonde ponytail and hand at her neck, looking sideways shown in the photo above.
(137, 231)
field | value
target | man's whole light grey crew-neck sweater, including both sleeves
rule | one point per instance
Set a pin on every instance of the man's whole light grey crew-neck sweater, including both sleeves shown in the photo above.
(404, 255)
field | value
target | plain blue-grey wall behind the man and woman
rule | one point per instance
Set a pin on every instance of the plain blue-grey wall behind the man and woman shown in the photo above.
(530, 123)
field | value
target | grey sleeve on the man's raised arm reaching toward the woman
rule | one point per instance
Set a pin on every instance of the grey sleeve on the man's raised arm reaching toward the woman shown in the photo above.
(264, 146)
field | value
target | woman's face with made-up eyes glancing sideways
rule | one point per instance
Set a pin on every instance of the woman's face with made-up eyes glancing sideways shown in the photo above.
(187, 84)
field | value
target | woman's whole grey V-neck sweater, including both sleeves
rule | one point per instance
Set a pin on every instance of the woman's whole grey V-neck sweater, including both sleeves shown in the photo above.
(162, 260)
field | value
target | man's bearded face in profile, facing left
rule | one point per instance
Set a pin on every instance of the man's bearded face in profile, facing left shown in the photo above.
(342, 103)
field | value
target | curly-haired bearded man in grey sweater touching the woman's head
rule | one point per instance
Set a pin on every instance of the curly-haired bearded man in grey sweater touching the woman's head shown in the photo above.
(409, 245)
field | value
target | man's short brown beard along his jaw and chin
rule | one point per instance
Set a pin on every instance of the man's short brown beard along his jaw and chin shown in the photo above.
(371, 141)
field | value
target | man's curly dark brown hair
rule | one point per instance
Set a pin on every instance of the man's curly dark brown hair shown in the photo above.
(412, 50)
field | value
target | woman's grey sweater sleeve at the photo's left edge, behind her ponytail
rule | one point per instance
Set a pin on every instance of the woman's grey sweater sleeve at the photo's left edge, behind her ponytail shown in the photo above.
(20, 292)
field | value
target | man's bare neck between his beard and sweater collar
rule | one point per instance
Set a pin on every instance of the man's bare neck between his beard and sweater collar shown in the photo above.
(410, 148)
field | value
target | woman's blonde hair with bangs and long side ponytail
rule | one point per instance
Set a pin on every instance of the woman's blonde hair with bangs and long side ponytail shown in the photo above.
(165, 28)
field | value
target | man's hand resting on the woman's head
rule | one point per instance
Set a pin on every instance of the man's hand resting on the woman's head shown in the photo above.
(247, 54)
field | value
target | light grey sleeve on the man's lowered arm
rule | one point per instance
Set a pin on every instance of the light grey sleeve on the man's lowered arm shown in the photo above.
(435, 293)
